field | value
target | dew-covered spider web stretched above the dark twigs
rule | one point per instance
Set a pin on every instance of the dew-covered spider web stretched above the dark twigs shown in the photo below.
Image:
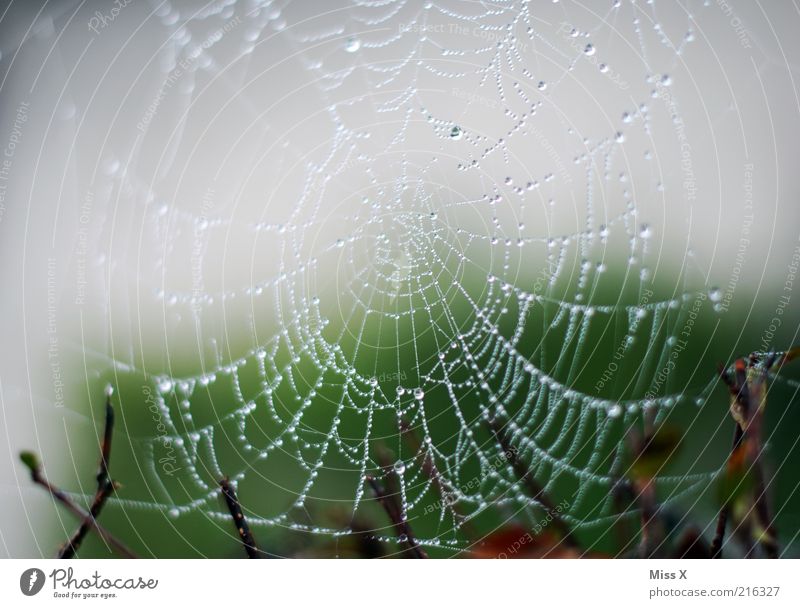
(368, 233)
